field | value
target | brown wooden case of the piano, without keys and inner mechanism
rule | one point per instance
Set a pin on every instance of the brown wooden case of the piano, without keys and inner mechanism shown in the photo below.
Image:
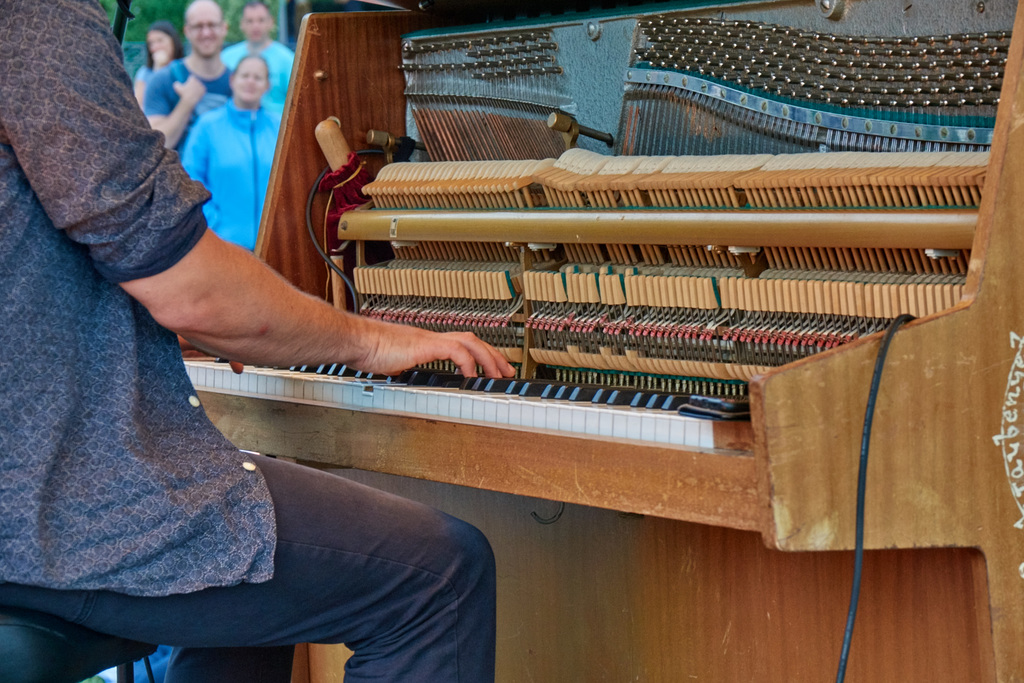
(671, 565)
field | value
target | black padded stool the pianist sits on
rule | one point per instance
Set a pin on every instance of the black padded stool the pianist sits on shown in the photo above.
(36, 648)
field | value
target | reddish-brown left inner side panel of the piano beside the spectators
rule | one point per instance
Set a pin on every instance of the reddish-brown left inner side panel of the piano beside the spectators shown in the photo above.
(348, 67)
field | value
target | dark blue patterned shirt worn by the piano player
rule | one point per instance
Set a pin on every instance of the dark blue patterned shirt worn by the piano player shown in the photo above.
(110, 478)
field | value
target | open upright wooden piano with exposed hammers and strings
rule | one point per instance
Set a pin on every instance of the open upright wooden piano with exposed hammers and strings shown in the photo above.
(732, 202)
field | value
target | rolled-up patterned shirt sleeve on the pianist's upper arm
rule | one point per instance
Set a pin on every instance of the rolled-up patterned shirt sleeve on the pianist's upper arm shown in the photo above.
(100, 172)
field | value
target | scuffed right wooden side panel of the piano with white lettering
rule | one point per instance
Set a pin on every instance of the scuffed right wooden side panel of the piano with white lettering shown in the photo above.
(945, 463)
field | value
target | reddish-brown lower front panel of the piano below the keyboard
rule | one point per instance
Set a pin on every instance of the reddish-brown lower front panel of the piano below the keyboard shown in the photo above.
(603, 597)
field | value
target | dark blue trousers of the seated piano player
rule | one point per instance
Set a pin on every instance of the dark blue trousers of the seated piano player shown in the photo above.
(410, 590)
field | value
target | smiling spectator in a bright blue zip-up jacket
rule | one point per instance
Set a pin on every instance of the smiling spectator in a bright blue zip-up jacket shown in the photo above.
(231, 150)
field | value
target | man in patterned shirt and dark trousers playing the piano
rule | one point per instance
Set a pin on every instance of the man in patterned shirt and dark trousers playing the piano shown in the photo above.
(121, 506)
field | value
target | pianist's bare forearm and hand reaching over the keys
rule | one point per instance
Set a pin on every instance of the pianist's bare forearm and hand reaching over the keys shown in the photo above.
(224, 300)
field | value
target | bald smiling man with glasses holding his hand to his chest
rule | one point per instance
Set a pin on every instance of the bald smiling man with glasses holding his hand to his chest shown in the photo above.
(192, 87)
